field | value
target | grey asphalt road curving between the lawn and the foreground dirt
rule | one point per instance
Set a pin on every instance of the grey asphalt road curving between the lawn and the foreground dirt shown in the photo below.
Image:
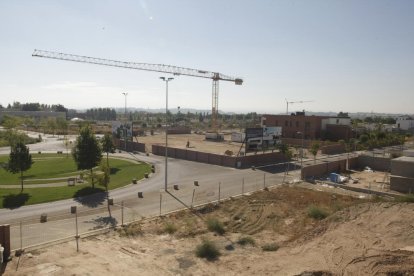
(215, 182)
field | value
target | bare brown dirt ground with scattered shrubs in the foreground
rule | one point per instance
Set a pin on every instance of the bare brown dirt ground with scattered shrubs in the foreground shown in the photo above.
(357, 237)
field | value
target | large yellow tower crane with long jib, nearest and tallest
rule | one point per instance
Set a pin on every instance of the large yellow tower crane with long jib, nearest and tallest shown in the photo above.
(170, 69)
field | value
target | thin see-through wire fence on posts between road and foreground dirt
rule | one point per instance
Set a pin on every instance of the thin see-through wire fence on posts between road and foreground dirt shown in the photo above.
(80, 221)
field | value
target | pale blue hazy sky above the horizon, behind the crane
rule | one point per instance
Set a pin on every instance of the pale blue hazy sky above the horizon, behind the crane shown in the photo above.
(348, 55)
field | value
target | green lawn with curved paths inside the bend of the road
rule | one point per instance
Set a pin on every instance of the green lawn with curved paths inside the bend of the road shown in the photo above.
(122, 172)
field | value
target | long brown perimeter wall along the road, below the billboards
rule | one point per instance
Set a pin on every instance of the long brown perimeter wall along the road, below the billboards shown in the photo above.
(220, 160)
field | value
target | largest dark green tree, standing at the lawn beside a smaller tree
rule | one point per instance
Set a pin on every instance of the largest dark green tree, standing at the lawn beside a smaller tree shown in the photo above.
(87, 152)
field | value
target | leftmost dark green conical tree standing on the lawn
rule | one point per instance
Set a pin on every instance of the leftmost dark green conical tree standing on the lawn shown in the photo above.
(20, 160)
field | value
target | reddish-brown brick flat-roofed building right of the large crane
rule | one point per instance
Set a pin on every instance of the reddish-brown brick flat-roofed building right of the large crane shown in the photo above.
(313, 127)
